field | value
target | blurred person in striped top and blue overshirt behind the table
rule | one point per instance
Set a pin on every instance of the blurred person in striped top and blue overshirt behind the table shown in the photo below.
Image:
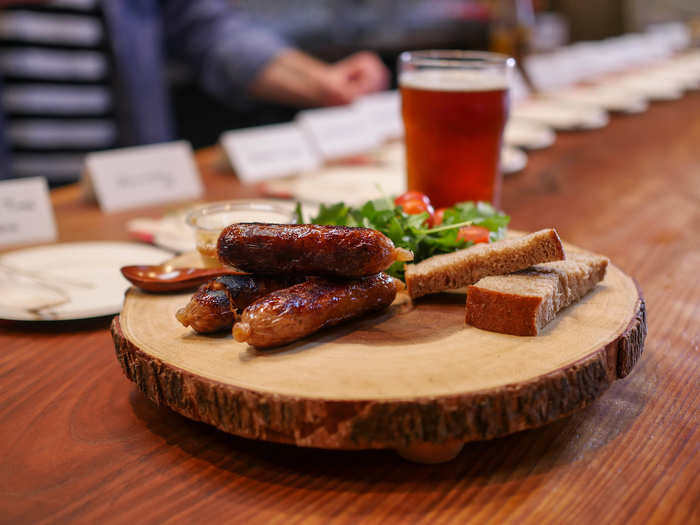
(85, 75)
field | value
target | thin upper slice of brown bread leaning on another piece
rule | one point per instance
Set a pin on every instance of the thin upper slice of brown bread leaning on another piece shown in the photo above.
(464, 267)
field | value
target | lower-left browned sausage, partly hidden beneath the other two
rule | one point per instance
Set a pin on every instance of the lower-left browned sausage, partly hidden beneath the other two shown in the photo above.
(214, 306)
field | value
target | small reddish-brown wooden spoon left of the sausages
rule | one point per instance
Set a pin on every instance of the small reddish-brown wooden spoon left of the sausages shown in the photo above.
(166, 278)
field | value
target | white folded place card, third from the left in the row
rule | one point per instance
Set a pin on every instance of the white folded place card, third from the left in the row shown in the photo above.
(268, 152)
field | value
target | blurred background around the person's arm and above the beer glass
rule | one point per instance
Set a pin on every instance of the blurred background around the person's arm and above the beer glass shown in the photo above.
(332, 29)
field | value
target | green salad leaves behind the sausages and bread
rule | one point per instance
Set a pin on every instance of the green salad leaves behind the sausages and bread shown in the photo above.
(411, 231)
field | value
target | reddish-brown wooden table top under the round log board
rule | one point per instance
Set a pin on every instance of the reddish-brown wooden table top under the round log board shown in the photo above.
(80, 443)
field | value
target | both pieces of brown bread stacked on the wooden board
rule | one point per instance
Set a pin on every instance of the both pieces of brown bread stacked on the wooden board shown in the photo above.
(515, 286)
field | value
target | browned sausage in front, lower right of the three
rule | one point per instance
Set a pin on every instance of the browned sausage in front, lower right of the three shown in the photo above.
(290, 314)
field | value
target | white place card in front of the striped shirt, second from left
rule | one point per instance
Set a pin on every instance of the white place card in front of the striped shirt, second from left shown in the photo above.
(133, 177)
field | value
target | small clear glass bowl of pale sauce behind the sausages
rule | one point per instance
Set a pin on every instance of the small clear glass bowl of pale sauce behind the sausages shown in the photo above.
(209, 220)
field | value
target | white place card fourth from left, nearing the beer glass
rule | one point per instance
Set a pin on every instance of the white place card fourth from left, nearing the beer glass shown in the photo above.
(340, 131)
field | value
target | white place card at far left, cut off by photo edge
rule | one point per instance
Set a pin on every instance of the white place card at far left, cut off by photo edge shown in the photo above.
(25, 212)
